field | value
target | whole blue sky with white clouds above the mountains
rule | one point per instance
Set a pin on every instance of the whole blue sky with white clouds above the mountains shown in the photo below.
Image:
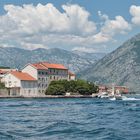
(84, 25)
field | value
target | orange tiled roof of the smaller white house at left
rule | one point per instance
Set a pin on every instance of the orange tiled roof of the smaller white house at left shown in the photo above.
(23, 76)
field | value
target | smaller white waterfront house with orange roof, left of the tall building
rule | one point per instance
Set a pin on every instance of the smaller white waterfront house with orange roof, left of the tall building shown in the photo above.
(20, 84)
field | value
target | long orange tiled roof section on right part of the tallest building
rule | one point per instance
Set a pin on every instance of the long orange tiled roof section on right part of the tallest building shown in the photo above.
(54, 66)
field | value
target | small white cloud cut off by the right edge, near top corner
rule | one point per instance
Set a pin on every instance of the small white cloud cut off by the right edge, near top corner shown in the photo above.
(135, 12)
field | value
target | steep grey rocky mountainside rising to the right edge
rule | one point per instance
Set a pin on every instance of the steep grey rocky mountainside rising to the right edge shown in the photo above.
(121, 67)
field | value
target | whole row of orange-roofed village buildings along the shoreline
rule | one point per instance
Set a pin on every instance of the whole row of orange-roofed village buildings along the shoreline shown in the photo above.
(33, 80)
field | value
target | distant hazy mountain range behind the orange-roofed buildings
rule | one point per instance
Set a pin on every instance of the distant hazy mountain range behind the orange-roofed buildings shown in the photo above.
(17, 58)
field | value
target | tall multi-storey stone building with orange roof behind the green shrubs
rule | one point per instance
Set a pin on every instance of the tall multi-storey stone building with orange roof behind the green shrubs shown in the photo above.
(46, 72)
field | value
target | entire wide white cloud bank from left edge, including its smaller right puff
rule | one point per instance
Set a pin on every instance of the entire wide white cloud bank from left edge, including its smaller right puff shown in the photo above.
(45, 26)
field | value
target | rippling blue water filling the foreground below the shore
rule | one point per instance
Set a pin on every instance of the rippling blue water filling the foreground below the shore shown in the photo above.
(67, 119)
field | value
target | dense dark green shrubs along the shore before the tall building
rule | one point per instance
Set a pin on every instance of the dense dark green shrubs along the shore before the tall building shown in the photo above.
(62, 86)
